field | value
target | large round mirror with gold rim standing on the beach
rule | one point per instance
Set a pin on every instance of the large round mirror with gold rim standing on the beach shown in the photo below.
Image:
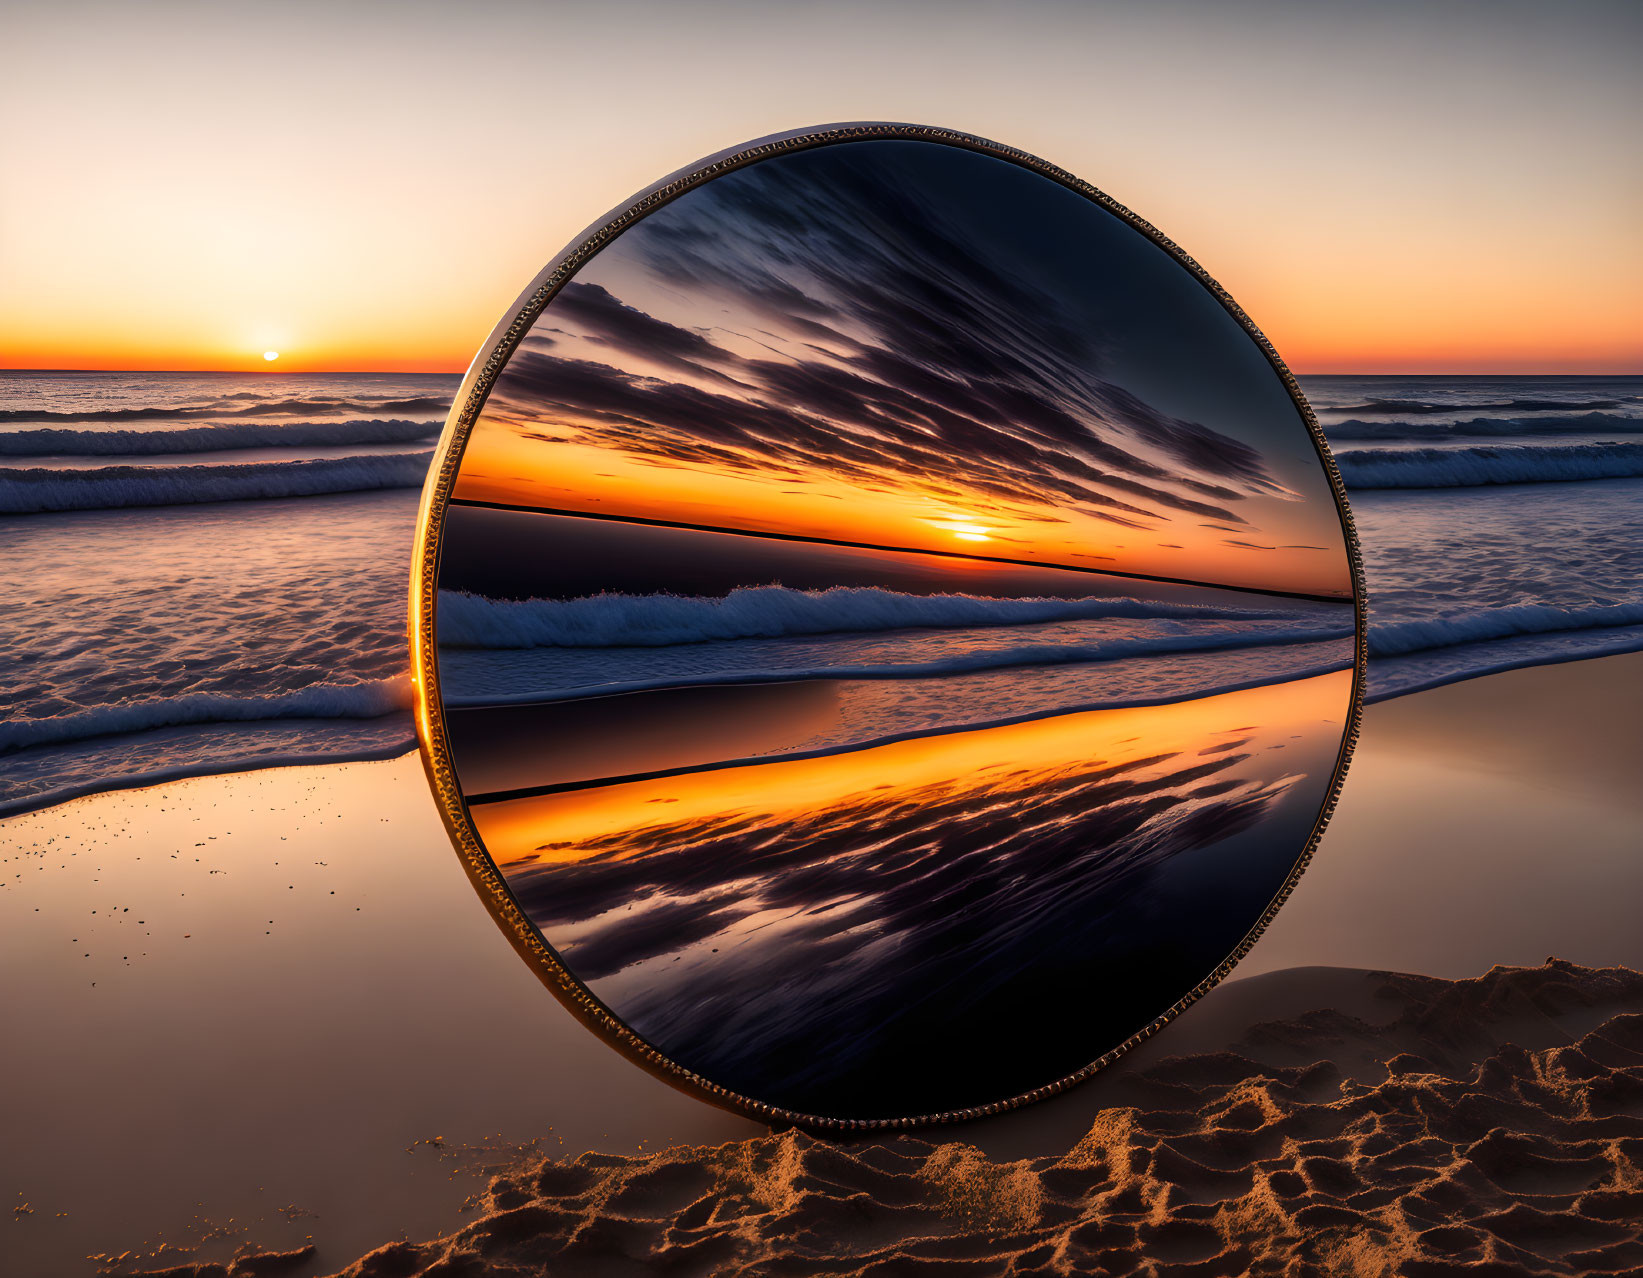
(888, 628)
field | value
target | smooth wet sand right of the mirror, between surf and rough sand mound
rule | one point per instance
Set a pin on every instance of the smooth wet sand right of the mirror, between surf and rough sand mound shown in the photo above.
(1498, 821)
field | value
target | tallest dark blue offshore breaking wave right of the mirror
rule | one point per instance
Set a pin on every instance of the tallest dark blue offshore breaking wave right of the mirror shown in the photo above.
(1483, 466)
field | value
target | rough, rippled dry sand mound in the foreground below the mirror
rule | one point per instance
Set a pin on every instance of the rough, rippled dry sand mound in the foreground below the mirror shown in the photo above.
(1488, 1128)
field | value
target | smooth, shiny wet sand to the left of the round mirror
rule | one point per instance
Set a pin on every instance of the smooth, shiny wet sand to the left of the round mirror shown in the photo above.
(237, 996)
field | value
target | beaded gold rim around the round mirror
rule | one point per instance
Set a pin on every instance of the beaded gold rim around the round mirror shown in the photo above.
(425, 641)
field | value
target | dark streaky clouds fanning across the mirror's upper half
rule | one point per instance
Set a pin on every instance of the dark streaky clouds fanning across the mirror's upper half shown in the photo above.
(908, 357)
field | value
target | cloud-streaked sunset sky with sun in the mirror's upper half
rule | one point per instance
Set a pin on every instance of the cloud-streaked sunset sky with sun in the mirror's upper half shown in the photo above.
(1056, 388)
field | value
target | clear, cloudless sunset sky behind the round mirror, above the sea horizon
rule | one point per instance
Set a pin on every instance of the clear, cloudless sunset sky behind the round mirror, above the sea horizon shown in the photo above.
(361, 186)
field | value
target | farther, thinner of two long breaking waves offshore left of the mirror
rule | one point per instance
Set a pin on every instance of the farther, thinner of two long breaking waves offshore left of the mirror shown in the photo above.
(203, 439)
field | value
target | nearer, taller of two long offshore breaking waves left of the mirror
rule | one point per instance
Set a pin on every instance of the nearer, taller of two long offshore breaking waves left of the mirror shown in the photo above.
(39, 490)
